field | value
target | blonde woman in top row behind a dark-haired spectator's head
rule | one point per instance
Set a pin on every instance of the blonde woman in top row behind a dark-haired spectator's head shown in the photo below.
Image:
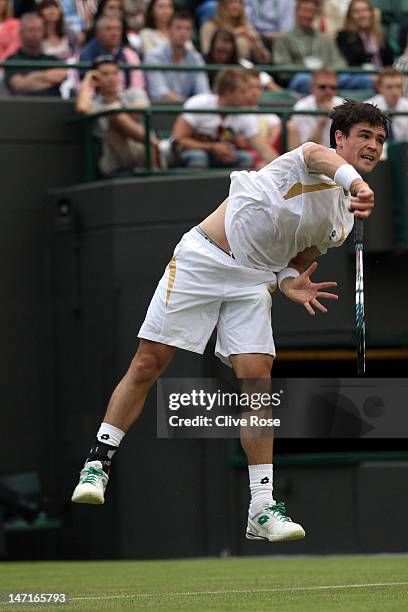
(230, 15)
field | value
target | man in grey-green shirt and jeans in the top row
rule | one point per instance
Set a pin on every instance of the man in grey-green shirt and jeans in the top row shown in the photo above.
(305, 46)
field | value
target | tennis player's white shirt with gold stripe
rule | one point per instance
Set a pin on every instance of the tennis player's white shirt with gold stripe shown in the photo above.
(276, 213)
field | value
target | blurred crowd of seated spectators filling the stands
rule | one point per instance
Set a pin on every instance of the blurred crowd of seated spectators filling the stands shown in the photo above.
(318, 38)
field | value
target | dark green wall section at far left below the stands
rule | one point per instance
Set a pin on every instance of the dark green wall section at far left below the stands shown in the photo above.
(37, 152)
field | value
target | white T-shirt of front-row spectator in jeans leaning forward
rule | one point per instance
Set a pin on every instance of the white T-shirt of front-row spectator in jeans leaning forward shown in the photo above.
(209, 125)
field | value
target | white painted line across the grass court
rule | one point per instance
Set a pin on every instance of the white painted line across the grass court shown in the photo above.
(243, 592)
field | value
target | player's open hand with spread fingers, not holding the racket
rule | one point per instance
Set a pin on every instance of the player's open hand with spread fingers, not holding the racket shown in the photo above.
(303, 291)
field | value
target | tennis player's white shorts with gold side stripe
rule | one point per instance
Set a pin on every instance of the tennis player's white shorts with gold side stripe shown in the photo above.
(203, 287)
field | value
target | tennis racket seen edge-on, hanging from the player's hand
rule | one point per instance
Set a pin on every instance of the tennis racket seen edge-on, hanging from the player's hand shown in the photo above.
(360, 321)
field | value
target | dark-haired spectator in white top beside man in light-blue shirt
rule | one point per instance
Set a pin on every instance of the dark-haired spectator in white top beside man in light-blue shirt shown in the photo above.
(157, 24)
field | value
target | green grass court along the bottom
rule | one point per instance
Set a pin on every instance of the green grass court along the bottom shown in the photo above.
(352, 584)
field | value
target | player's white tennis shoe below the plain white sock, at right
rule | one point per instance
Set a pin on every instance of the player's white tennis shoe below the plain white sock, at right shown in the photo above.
(273, 525)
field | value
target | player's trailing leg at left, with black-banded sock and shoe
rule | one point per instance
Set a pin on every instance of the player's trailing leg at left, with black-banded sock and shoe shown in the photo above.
(124, 407)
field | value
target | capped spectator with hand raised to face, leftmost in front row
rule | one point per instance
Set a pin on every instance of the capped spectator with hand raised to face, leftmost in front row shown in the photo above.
(122, 135)
